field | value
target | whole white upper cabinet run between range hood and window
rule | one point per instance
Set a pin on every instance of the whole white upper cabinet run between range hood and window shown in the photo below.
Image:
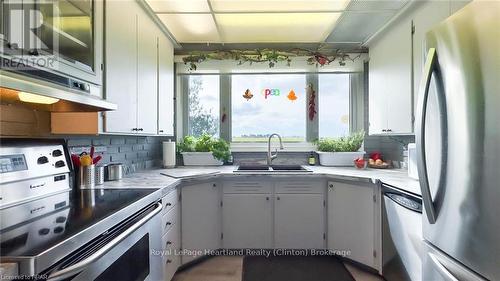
(138, 72)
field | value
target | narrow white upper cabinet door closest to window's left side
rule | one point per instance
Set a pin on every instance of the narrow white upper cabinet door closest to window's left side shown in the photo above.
(165, 86)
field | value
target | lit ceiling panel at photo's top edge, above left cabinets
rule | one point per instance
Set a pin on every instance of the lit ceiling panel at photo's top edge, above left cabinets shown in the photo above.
(179, 6)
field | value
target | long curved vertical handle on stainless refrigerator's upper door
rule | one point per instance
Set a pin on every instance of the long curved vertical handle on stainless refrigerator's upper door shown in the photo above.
(429, 67)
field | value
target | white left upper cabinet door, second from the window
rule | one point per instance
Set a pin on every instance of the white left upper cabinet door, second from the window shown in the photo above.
(147, 90)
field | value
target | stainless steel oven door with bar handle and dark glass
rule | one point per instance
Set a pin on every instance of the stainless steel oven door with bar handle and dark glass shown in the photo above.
(123, 253)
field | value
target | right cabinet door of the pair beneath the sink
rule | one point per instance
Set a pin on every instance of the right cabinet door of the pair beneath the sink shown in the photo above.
(299, 221)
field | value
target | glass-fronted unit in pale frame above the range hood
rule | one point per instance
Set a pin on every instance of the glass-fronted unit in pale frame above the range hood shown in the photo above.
(59, 41)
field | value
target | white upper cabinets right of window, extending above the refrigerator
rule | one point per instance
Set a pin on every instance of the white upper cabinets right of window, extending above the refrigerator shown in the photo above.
(396, 61)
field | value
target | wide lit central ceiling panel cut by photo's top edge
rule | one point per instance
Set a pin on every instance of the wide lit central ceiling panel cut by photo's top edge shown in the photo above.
(278, 5)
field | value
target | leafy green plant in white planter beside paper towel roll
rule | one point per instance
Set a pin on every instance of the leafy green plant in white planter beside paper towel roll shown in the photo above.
(205, 150)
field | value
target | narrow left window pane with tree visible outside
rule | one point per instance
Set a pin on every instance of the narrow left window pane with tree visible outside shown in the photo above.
(203, 105)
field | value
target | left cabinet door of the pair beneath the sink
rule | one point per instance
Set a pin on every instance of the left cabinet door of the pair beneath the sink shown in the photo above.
(247, 221)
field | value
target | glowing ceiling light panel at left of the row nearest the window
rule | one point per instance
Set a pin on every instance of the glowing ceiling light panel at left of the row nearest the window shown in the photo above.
(191, 28)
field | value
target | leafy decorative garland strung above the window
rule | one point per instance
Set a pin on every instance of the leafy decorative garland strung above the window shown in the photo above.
(270, 56)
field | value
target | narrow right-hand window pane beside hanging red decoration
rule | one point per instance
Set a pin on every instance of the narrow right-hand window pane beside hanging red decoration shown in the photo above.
(333, 103)
